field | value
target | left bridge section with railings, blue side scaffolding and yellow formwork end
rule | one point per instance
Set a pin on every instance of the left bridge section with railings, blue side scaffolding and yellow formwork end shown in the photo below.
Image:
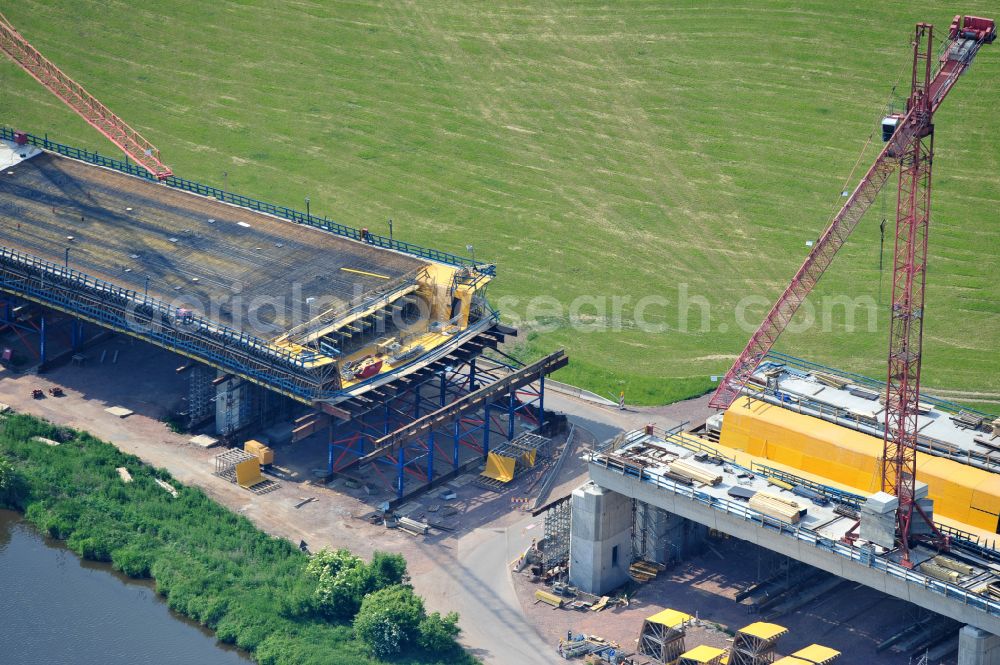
(298, 304)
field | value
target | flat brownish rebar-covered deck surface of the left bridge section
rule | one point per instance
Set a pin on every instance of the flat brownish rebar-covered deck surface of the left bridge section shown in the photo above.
(247, 270)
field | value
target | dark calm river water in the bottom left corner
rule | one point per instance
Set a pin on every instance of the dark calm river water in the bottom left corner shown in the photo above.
(56, 609)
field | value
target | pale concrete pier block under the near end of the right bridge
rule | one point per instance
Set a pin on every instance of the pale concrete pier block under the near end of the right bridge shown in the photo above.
(601, 539)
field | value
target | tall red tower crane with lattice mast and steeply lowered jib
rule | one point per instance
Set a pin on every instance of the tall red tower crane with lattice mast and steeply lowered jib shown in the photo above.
(908, 151)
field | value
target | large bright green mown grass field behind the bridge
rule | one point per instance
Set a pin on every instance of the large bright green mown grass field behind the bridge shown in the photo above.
(626, 149)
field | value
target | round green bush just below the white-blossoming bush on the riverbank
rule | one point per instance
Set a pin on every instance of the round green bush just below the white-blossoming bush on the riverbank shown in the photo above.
(389, 620)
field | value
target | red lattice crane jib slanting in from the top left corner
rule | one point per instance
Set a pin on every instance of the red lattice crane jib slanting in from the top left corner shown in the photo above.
(83, 103)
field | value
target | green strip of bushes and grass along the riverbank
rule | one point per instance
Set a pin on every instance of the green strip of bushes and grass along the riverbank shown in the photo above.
(256, 591)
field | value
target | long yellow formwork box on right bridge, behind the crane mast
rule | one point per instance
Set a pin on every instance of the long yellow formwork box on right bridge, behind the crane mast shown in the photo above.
(967, 495)
